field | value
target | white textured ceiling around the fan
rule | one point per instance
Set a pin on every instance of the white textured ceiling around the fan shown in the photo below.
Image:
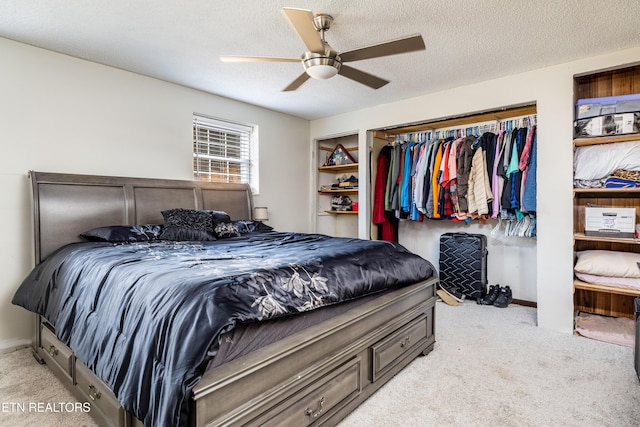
(181, 41)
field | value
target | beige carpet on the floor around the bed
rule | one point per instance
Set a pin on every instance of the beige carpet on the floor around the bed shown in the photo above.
(490, 367)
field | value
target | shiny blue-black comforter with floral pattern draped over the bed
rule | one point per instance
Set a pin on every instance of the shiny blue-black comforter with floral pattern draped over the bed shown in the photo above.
(146, 316)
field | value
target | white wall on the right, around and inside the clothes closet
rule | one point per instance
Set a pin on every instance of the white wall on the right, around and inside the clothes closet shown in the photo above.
(542, 272)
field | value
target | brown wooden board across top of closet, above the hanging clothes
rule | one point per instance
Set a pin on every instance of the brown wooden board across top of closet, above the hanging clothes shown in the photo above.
(461, 121)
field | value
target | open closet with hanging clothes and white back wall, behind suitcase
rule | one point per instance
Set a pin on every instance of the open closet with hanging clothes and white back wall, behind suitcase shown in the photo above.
(417, 194)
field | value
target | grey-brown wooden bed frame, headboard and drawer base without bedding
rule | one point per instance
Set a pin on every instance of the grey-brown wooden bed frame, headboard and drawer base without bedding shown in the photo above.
(314, 377)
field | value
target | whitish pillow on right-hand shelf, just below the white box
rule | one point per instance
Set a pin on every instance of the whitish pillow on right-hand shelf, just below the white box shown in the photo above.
(608, 263)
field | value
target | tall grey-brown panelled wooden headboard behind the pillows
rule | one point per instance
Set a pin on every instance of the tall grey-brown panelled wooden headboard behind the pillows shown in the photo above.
(64, 205)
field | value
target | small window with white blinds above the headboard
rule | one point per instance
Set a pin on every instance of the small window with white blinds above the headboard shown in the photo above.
(223, 151)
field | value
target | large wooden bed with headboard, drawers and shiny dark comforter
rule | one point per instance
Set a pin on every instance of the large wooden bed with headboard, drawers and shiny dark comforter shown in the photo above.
(315, 373)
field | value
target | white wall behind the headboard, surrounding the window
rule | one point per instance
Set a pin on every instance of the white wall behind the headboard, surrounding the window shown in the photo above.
(61, 114)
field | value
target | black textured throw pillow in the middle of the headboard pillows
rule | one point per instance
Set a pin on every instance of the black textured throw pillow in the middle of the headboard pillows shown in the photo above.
(187, 224)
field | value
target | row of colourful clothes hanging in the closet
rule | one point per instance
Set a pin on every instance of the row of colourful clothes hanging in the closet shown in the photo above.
(461, 177)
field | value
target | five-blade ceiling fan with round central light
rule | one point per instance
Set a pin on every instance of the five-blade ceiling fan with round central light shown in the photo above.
(322, 62)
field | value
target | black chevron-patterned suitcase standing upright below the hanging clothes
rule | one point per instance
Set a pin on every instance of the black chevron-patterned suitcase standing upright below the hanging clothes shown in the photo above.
(463, 264)
